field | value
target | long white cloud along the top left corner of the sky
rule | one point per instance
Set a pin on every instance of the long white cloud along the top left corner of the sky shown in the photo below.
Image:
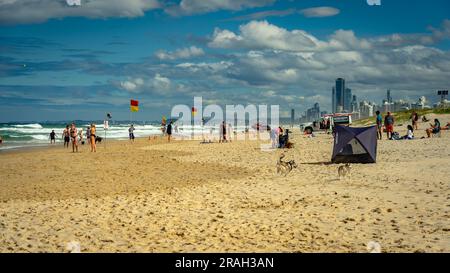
(36, 11)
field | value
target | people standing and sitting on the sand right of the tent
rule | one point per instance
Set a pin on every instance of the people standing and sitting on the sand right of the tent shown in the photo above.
(389, 122)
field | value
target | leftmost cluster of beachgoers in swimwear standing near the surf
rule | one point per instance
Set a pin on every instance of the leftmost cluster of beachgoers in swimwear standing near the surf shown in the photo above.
(72, 134)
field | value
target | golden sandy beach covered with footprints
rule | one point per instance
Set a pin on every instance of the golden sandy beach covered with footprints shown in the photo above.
(152, 196)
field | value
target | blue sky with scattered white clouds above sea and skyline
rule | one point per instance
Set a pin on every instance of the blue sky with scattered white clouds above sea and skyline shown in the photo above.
(79, 59)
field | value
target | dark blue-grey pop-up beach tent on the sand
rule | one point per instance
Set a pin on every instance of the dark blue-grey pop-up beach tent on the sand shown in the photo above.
(355, 145)
